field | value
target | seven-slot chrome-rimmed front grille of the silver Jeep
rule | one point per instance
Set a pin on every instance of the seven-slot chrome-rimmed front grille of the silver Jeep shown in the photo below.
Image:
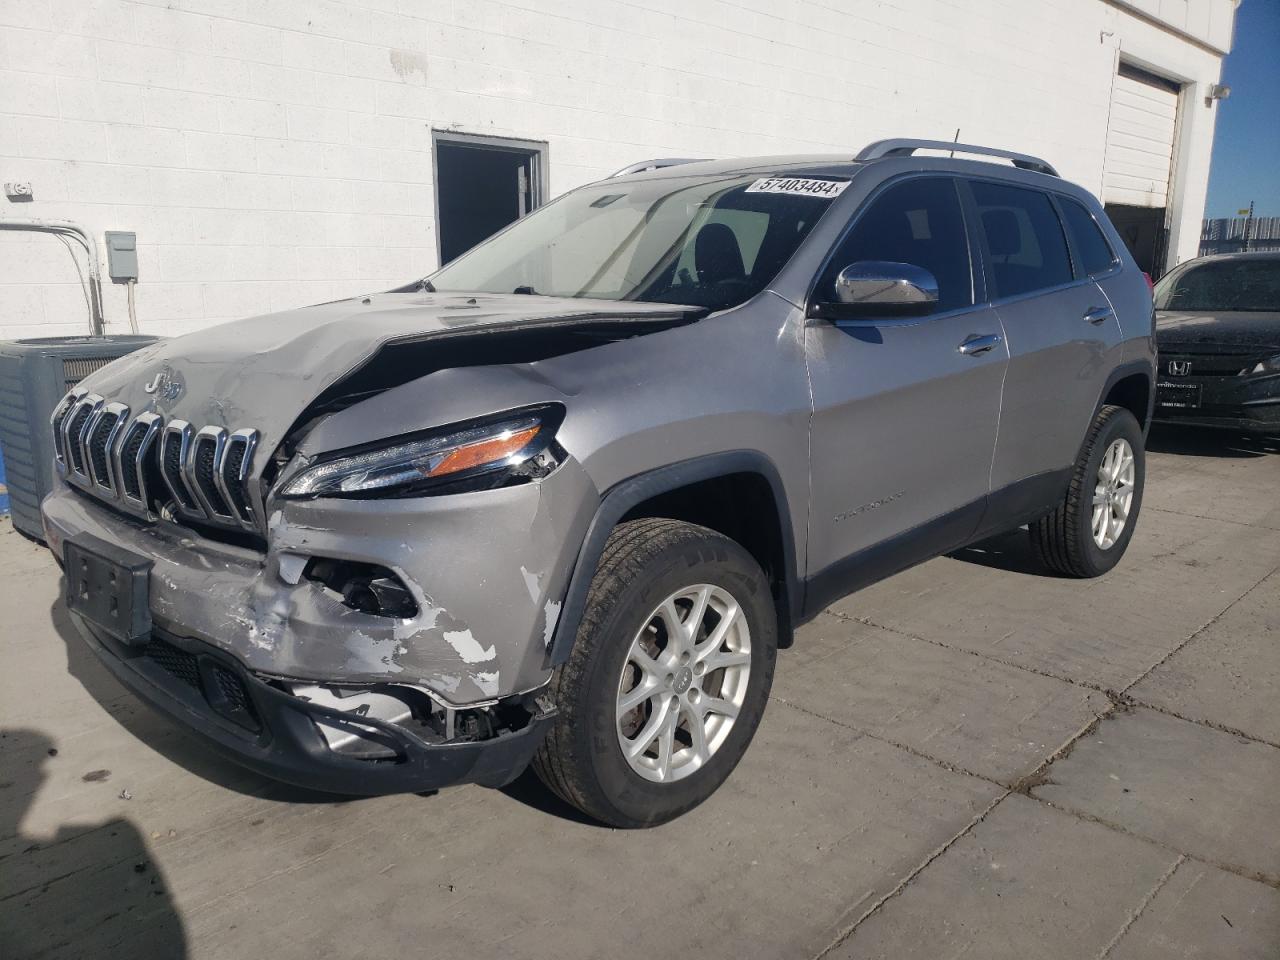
(145, 464)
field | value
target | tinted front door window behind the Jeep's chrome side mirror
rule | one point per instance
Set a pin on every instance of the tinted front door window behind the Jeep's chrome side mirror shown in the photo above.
(917, 222)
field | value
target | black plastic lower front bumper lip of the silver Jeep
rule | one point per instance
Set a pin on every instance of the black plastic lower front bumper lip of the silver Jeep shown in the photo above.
(275, 733)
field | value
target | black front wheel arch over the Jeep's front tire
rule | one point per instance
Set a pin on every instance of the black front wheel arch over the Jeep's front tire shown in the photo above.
(685, 490)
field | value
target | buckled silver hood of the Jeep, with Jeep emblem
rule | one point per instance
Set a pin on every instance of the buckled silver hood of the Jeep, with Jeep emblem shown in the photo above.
(264, 372)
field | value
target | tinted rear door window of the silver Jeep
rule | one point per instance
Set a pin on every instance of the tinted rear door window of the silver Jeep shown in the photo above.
(1025, 239)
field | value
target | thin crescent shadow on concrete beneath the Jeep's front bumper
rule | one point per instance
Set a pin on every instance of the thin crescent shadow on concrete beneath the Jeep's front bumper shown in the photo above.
(161, 734)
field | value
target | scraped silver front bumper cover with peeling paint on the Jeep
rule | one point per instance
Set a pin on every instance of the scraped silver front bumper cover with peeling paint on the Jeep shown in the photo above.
(488, 572)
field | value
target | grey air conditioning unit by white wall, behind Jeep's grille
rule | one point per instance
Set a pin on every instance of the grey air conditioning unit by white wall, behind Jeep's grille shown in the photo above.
(35, 374)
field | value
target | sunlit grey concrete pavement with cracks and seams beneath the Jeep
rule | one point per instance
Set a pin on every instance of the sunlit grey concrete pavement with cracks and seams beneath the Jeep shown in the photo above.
(971, 760)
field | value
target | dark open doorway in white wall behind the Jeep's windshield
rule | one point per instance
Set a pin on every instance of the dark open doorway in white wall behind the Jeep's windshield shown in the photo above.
(482, 185)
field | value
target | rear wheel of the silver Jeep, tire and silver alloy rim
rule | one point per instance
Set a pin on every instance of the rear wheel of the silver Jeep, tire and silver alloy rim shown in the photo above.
(1090, 531)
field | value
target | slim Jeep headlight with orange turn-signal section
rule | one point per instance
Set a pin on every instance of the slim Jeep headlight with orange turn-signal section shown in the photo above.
(518, 447)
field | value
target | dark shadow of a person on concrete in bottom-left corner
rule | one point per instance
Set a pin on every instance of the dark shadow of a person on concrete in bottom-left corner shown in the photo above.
(84, 890)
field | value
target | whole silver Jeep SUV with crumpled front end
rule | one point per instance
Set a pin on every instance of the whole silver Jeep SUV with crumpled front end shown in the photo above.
(564, 501)
